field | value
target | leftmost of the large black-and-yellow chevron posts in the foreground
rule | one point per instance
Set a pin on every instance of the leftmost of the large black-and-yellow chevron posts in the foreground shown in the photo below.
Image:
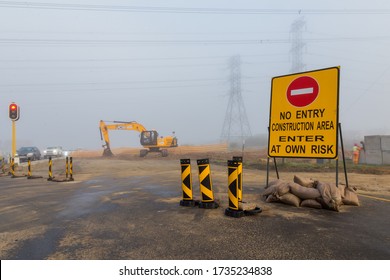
(186, 184)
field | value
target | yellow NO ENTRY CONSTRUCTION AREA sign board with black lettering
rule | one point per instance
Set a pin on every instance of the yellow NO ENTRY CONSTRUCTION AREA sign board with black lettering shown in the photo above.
(304, 114)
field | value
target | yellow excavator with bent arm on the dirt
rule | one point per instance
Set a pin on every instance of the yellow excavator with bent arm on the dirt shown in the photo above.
(149, 138)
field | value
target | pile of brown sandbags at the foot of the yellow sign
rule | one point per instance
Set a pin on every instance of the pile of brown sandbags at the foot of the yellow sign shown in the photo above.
(310, 193)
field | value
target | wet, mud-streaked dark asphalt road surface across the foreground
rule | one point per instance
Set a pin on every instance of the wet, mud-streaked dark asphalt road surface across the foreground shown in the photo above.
(139, 217)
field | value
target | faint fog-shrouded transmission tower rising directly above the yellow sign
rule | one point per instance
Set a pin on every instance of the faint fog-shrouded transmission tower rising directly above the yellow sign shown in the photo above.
(297, 45)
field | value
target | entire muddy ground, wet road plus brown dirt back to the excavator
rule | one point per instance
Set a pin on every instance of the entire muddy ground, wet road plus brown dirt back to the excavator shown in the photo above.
(127, 207)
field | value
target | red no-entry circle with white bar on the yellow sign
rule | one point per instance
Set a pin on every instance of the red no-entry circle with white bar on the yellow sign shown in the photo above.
(302, 91)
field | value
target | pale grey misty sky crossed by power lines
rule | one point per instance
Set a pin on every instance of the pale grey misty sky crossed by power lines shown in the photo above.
(165, 64)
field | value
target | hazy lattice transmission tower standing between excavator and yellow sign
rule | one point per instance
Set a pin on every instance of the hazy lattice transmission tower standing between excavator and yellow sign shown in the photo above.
(236, 125)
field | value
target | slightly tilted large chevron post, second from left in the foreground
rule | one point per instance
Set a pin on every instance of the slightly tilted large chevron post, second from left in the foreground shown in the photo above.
(205, 185)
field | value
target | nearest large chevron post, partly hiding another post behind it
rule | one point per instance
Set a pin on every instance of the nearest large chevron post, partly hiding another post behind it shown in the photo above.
(233, 191)
